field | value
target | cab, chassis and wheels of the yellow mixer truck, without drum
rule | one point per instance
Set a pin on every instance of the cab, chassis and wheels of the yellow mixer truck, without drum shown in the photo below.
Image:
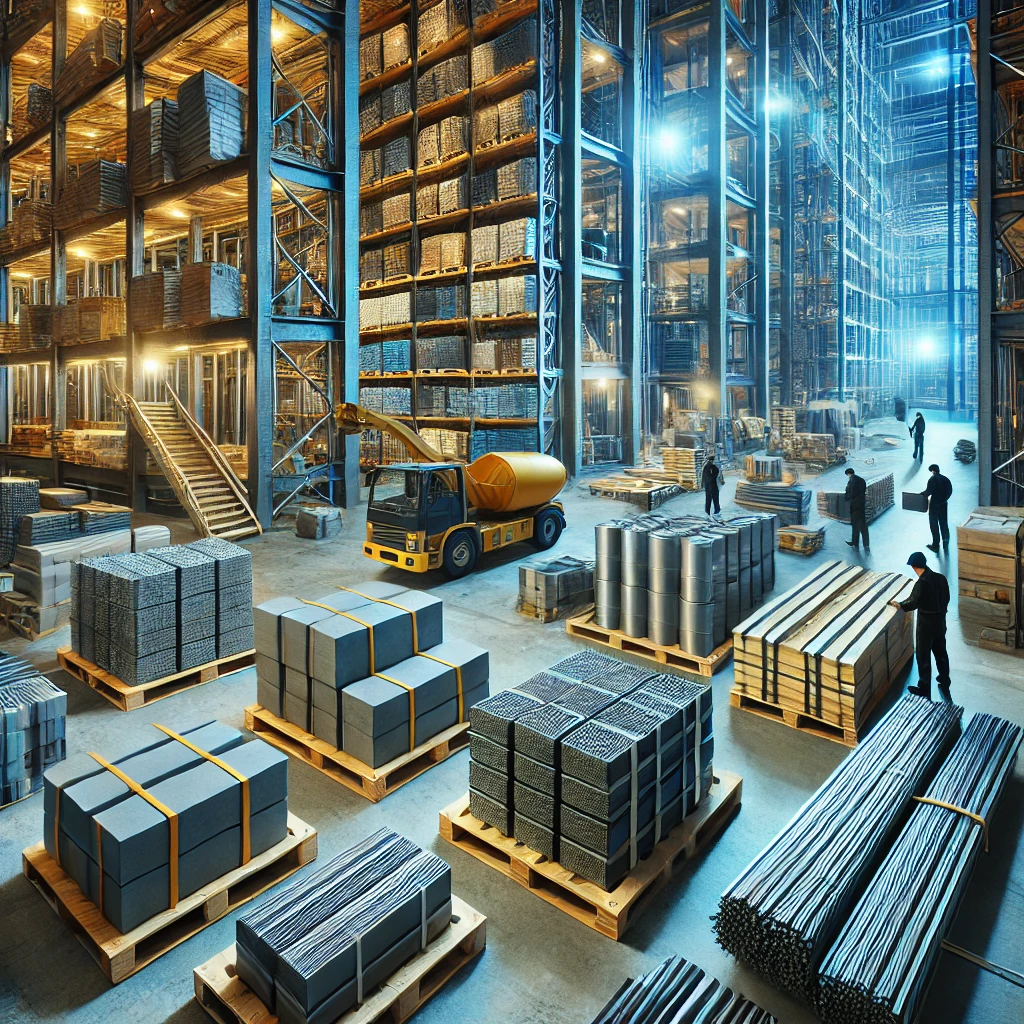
(418, 520)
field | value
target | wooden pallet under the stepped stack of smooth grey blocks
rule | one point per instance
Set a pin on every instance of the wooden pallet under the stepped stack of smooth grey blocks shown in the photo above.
(374, 784)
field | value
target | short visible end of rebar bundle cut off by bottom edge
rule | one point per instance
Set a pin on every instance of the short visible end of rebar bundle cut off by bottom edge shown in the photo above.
(680, 993)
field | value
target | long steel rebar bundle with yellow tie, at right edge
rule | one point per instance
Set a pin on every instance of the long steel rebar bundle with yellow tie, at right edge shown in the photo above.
(880, 966)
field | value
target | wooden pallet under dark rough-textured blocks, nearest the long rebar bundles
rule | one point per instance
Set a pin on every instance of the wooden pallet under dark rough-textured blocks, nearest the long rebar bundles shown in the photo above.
(608, 913)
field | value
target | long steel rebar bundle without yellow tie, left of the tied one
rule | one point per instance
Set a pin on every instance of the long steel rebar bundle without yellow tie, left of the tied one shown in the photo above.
(784, 913)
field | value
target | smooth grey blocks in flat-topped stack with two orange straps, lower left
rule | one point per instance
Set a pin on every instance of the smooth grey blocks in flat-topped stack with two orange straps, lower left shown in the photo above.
(116, 845)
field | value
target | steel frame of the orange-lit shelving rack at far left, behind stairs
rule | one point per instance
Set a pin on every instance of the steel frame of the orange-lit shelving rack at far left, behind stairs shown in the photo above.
(271, 331)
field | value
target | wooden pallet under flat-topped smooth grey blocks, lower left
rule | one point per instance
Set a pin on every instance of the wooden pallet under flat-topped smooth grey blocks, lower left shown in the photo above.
(121, 956)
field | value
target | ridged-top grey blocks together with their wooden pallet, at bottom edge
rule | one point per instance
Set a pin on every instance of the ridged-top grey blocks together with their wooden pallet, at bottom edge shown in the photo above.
(371, 936)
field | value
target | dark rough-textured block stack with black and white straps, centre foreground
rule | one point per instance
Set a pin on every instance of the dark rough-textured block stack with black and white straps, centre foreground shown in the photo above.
(587, 762)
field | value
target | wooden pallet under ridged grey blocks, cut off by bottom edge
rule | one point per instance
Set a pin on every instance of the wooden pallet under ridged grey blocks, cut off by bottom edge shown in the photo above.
(228, 1000)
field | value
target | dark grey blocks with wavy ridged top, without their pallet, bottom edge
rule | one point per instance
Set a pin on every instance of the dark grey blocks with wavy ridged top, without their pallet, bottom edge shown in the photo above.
(313, 952)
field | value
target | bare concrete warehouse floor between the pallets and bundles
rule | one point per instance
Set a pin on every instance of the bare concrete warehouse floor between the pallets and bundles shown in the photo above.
(540, 967)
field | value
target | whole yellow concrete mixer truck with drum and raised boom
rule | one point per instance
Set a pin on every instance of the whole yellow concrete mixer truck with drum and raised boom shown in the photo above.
(434, 514)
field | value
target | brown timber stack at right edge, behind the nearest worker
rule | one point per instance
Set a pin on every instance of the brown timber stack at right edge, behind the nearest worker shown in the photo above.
(991, 543)
